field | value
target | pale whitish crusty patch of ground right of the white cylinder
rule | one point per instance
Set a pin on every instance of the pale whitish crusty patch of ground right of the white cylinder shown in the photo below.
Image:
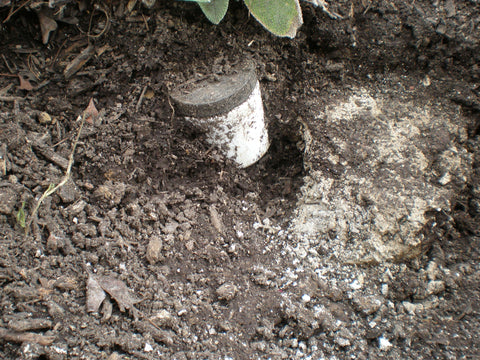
(376, 167)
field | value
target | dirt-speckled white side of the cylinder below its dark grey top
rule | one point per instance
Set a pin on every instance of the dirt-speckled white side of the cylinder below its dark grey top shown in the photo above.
(241, 133)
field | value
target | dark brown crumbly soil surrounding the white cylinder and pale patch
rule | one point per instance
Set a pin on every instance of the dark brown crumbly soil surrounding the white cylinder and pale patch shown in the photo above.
(190, 249)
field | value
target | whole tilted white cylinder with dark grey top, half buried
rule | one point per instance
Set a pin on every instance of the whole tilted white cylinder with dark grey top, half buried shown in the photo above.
(230, 111)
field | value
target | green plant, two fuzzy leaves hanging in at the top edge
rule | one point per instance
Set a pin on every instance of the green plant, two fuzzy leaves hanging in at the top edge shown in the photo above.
(280, 17)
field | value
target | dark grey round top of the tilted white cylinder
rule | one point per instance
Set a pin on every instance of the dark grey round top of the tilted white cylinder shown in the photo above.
(204, 98)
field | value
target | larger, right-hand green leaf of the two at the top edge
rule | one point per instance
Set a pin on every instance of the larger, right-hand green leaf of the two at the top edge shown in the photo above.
(280, 17)
